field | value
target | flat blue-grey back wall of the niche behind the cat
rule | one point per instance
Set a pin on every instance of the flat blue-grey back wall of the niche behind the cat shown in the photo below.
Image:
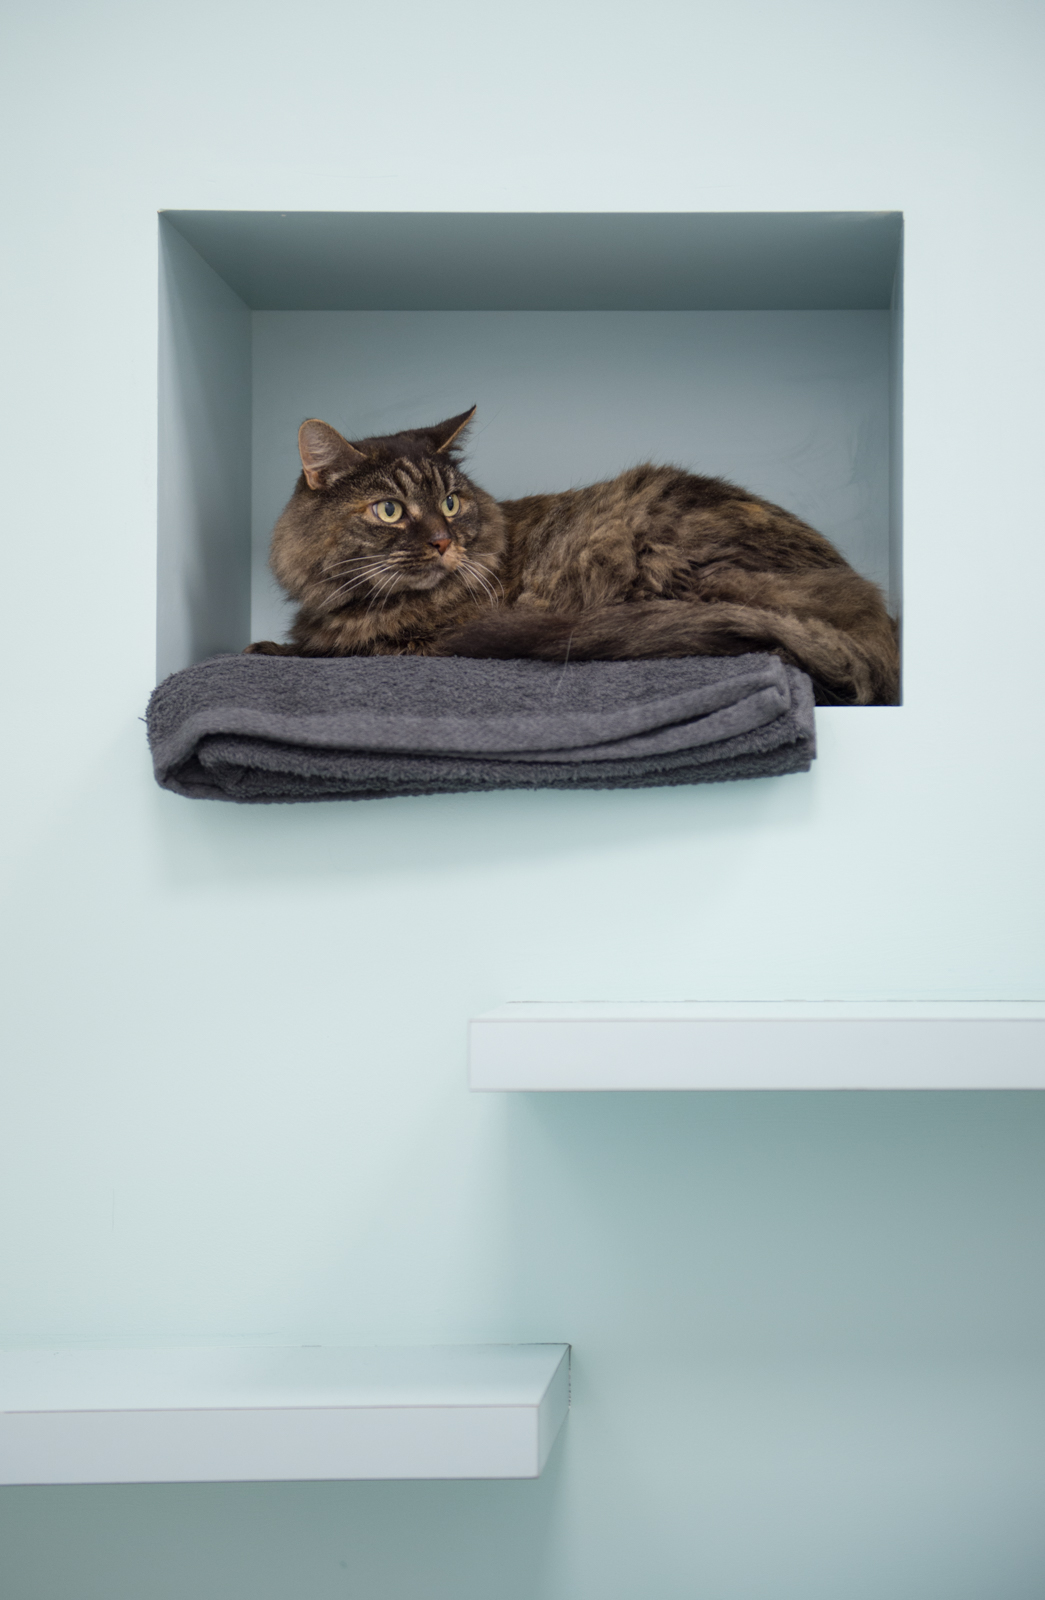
(795, 406)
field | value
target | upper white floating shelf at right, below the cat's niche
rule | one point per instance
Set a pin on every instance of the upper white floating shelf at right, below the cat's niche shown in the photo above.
(795, 1046)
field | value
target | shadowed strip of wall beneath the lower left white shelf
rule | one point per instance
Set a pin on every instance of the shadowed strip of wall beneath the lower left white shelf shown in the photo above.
(282, 1542)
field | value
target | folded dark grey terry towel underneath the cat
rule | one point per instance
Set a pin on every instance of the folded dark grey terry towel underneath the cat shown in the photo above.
(266, 729)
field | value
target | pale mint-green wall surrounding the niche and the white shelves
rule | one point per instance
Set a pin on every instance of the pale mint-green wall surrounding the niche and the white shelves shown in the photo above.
(809, 1332)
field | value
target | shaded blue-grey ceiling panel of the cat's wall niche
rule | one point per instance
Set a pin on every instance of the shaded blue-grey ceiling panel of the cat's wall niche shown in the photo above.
(550, 260)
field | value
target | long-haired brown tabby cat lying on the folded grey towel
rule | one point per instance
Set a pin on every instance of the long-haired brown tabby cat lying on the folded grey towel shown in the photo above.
(390, 550)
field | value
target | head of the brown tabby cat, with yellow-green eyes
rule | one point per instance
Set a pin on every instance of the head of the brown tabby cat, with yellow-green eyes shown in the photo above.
(380, 518)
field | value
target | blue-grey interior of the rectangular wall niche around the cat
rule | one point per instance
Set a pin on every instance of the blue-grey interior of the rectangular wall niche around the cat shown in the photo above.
(758, 346)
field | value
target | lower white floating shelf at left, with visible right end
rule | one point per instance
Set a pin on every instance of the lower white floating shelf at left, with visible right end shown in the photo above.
(236, 1415)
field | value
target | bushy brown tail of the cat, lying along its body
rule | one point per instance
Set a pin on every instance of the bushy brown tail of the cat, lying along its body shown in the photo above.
(847, 670)
